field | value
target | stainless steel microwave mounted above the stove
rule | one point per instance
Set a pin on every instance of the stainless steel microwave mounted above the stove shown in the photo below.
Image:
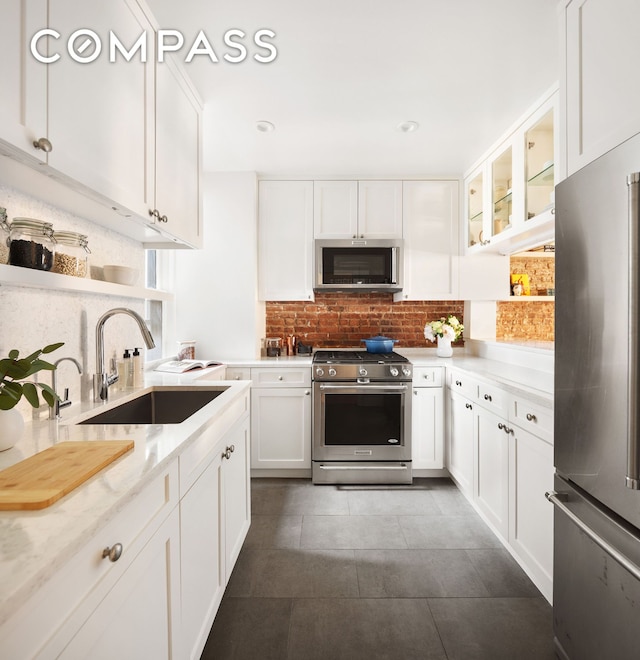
(358, 265)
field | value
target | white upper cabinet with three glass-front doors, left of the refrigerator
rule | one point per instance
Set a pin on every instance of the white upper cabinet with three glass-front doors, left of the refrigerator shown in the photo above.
(508, 194)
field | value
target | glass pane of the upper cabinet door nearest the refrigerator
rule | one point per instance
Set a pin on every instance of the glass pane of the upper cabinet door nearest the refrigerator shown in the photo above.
(539, 166)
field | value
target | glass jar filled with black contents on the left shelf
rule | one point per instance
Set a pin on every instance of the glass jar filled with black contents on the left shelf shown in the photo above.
(31, 244)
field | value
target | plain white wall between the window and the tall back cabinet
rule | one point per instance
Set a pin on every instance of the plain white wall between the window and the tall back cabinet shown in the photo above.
(216, 287)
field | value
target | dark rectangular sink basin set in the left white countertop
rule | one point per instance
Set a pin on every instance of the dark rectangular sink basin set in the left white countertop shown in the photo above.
(161, 406)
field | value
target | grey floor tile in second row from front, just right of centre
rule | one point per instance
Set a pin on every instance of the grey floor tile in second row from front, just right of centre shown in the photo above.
(417, 574)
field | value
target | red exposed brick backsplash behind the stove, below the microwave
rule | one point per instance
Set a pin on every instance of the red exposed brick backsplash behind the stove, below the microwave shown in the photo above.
(341, 320)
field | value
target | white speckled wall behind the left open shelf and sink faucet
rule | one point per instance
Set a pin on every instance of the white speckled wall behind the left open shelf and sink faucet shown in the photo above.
(33, 318)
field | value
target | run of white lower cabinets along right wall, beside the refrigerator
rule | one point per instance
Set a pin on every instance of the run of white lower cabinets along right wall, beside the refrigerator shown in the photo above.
(503, 468)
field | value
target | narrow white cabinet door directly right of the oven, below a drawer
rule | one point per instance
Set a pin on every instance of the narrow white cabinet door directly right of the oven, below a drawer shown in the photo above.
(427, 428)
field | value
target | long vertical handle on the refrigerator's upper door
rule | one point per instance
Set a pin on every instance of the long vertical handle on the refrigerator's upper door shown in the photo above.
(632, 480)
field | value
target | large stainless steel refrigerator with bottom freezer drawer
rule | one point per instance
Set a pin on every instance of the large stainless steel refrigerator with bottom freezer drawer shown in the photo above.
(596, 592)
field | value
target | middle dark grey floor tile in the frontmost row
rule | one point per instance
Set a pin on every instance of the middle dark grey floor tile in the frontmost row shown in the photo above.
(363, 629)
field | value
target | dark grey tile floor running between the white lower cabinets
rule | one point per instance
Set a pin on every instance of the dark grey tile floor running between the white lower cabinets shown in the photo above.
(375, 573)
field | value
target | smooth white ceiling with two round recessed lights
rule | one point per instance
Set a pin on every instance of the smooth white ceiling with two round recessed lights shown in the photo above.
(349, 71)
